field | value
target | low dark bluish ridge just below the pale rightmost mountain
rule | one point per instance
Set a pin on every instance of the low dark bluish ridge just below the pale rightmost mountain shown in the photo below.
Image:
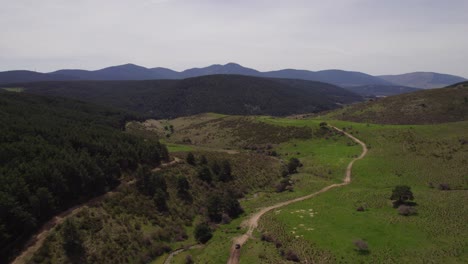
(381, 90)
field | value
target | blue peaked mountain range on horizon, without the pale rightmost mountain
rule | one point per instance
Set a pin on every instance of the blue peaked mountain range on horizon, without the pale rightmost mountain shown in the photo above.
(135, 72)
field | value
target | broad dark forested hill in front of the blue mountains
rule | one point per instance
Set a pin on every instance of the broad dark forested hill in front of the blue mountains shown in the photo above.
(226, 94)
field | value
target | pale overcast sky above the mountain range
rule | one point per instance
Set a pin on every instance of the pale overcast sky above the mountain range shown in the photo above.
(372, 36)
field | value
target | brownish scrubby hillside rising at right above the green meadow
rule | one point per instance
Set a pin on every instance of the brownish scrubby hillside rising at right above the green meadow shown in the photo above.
(442, 105)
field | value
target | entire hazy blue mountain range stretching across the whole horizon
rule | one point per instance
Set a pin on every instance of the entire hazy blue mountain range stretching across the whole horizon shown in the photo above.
(135, 72)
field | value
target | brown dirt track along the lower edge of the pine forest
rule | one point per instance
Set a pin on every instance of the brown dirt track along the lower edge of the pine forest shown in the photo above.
(38, 239)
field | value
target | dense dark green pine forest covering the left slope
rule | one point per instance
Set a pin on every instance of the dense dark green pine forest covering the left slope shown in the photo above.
(55, 153)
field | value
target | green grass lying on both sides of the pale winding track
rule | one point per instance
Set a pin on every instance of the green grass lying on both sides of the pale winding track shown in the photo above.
(414, 155)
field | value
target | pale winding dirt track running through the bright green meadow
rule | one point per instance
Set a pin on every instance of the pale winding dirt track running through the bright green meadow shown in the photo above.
(252, 222)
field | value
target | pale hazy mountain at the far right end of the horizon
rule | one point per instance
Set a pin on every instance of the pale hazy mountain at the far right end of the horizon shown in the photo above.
(424, 80)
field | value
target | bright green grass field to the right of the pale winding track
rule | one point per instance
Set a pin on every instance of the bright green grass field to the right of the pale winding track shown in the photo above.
(411, 155)
